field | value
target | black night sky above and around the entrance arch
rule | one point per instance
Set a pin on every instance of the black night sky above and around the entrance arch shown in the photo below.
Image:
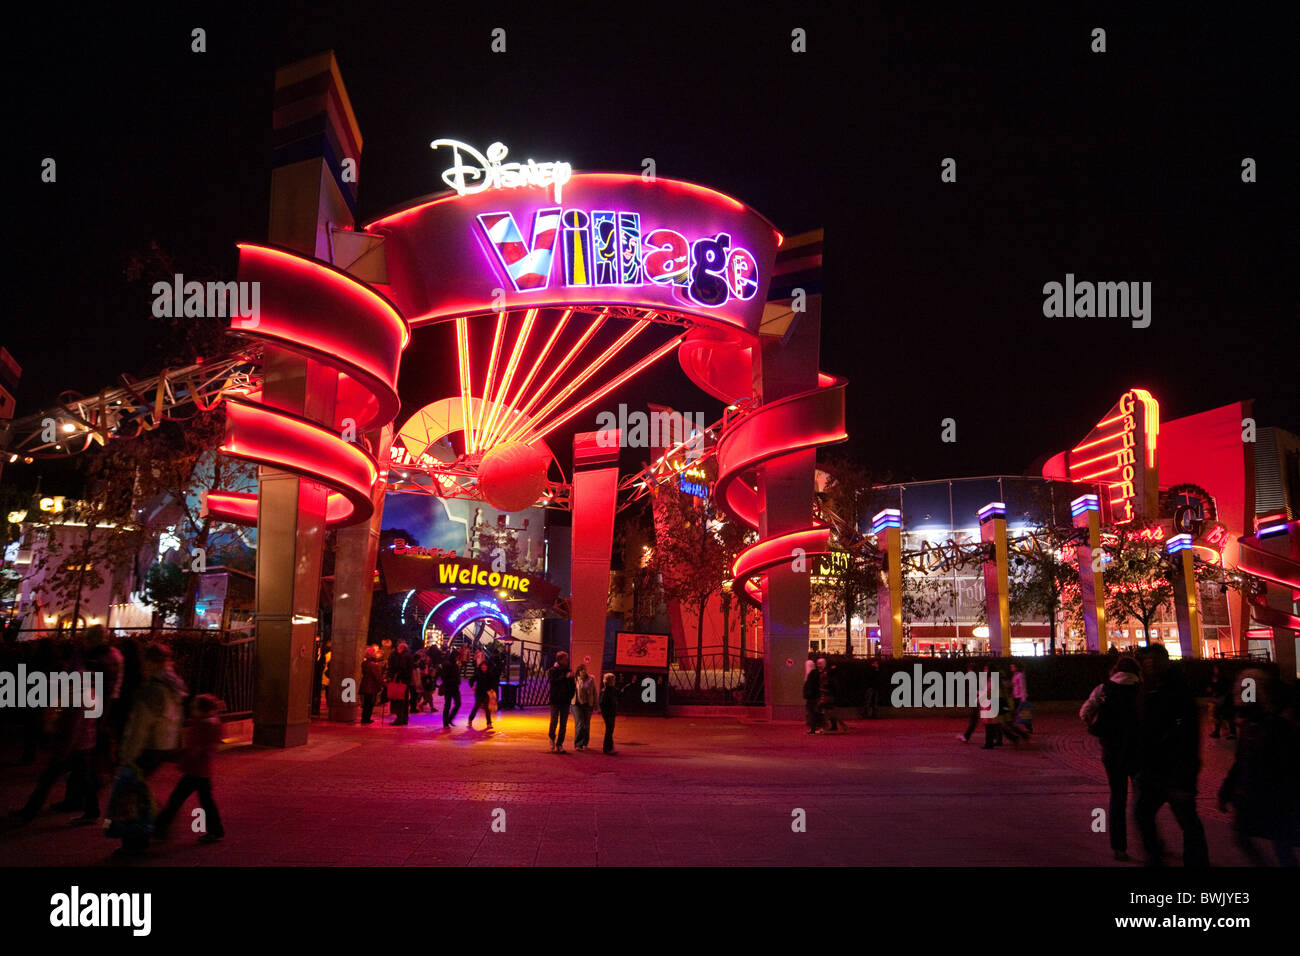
(1124, 166)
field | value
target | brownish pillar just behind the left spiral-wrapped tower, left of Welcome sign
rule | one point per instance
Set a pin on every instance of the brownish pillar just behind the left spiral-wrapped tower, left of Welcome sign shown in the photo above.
(357, 552)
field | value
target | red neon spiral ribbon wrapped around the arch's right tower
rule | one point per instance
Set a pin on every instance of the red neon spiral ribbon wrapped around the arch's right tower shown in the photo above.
(787, 426)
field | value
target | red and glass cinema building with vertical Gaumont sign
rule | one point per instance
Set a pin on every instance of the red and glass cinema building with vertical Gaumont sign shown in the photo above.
(1214, 485)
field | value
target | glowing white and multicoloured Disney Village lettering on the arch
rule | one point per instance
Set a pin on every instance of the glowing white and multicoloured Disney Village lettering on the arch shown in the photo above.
(599, 248)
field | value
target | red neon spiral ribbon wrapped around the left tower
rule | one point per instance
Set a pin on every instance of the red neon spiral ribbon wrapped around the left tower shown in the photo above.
(322, 314)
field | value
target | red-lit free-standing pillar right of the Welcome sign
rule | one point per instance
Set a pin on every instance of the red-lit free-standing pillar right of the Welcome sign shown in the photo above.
(596, 487)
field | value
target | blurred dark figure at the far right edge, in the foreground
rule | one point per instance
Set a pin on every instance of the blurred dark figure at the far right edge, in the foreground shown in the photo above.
(1264, 782)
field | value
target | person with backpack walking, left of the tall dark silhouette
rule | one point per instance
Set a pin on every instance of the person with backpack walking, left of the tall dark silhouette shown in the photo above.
(1111, 713)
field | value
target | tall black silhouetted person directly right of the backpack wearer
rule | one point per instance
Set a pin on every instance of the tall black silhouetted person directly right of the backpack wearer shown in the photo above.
(1169, 759)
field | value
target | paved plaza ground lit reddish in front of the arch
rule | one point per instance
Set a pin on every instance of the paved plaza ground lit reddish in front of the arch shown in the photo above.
(896, 791)
